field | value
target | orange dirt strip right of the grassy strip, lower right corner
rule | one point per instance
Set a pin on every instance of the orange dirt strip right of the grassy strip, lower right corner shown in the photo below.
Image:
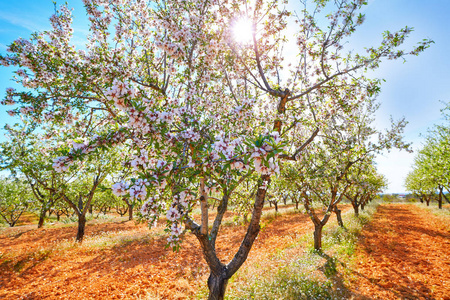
(404, 253)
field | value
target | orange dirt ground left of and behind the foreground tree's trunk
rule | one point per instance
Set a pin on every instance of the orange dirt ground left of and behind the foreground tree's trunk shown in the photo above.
(139, 269)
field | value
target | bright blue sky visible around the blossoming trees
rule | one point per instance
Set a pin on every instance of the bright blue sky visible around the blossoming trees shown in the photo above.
(413, 89)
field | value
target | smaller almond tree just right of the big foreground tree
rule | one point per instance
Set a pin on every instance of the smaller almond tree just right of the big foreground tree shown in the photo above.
(322, 174)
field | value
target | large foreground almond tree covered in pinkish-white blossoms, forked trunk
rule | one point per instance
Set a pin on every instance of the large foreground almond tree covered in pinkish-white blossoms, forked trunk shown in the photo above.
(199, 107)
